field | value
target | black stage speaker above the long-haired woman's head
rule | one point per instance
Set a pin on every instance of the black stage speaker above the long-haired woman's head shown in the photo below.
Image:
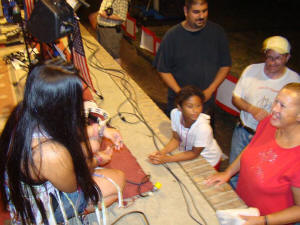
(50, 20)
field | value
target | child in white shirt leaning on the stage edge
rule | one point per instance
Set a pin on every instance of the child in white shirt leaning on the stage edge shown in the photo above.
(192, 132)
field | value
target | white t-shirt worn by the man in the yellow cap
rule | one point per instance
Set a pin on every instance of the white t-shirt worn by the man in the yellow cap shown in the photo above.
(255, 87)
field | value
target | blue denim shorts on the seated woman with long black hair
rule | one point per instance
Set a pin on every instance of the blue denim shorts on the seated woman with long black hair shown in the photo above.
(78, 200)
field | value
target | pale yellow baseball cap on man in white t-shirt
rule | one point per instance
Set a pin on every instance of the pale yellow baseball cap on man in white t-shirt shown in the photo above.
(278, 44)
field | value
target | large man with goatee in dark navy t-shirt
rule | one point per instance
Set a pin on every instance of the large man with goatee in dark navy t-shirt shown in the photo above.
(194, 52)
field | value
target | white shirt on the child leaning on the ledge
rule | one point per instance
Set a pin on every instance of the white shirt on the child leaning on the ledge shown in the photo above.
(198, 135)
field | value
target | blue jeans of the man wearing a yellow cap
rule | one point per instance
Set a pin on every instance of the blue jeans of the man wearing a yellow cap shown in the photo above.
(240, 139)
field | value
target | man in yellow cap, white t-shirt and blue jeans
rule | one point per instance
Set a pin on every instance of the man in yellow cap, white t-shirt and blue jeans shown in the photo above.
(256, 90)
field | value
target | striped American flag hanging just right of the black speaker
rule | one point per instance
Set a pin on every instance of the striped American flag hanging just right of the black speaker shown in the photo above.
(79, 55)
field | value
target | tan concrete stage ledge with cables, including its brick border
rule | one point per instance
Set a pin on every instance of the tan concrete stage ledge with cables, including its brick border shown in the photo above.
(167, 206)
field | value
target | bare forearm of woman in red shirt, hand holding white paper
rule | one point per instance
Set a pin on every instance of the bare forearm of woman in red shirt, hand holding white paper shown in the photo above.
(286, 216)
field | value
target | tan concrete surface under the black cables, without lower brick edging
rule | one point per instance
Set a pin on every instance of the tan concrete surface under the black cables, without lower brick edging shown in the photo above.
(166, 206)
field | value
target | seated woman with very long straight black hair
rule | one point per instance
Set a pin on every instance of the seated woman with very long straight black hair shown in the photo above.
(46, 159)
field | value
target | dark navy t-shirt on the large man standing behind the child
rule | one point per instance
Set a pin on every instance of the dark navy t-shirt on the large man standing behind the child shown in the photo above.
(193, 58)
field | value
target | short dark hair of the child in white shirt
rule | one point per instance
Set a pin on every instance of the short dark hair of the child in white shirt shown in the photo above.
(188, 91)
